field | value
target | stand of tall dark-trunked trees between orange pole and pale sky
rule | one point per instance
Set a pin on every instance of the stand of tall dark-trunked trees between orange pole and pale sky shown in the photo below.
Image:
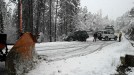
(52, 17)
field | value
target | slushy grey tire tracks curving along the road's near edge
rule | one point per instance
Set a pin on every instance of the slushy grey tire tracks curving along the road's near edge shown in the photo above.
(82, 48)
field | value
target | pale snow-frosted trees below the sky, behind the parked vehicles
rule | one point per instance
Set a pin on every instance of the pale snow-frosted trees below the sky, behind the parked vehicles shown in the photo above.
(91, 21)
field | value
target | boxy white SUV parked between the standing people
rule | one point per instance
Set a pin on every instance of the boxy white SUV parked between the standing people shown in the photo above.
(106, 35)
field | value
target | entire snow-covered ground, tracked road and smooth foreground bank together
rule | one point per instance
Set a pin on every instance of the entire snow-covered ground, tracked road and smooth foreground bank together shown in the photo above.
(79, 58)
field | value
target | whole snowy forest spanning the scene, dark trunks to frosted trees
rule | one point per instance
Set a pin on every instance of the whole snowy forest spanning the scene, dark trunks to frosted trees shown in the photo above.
(56, 19)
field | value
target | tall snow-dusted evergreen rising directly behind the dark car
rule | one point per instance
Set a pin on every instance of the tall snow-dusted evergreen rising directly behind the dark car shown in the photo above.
(69, 8)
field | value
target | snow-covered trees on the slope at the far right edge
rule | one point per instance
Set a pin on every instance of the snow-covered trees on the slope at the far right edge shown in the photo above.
(125, 23)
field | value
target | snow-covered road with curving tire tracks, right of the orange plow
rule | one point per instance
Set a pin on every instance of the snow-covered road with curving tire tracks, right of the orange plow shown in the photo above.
(64, 50)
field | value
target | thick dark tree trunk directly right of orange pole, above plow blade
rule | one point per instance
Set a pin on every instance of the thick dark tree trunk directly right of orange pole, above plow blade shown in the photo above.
(28, 15)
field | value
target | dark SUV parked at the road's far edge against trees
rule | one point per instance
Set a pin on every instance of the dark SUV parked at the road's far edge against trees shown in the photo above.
(77, 36)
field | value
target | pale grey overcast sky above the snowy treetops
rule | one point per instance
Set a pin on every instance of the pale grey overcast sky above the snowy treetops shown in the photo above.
(112, 8)
